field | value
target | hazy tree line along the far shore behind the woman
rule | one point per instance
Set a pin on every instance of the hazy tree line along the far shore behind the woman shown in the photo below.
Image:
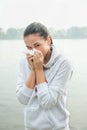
(71, 33)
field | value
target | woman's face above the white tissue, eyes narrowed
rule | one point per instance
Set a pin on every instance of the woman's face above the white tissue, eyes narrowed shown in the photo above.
(38, 42)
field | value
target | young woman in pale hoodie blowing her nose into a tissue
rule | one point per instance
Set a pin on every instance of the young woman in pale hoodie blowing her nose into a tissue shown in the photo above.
(42, 82)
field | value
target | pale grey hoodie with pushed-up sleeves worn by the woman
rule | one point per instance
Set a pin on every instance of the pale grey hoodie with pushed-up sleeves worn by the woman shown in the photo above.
(45, 108)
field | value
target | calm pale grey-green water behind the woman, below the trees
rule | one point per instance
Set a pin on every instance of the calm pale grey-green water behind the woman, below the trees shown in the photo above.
(11, 111)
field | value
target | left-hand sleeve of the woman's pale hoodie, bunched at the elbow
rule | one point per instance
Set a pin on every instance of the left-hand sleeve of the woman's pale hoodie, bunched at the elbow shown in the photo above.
(23, 93)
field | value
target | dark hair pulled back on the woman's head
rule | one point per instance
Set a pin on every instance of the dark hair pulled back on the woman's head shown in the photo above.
(39, 28)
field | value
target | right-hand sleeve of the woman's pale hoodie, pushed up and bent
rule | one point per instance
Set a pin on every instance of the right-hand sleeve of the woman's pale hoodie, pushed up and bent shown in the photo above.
(48, 95)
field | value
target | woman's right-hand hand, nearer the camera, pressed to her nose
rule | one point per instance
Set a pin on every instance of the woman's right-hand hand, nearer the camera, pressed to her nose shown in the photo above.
(38, 60)
